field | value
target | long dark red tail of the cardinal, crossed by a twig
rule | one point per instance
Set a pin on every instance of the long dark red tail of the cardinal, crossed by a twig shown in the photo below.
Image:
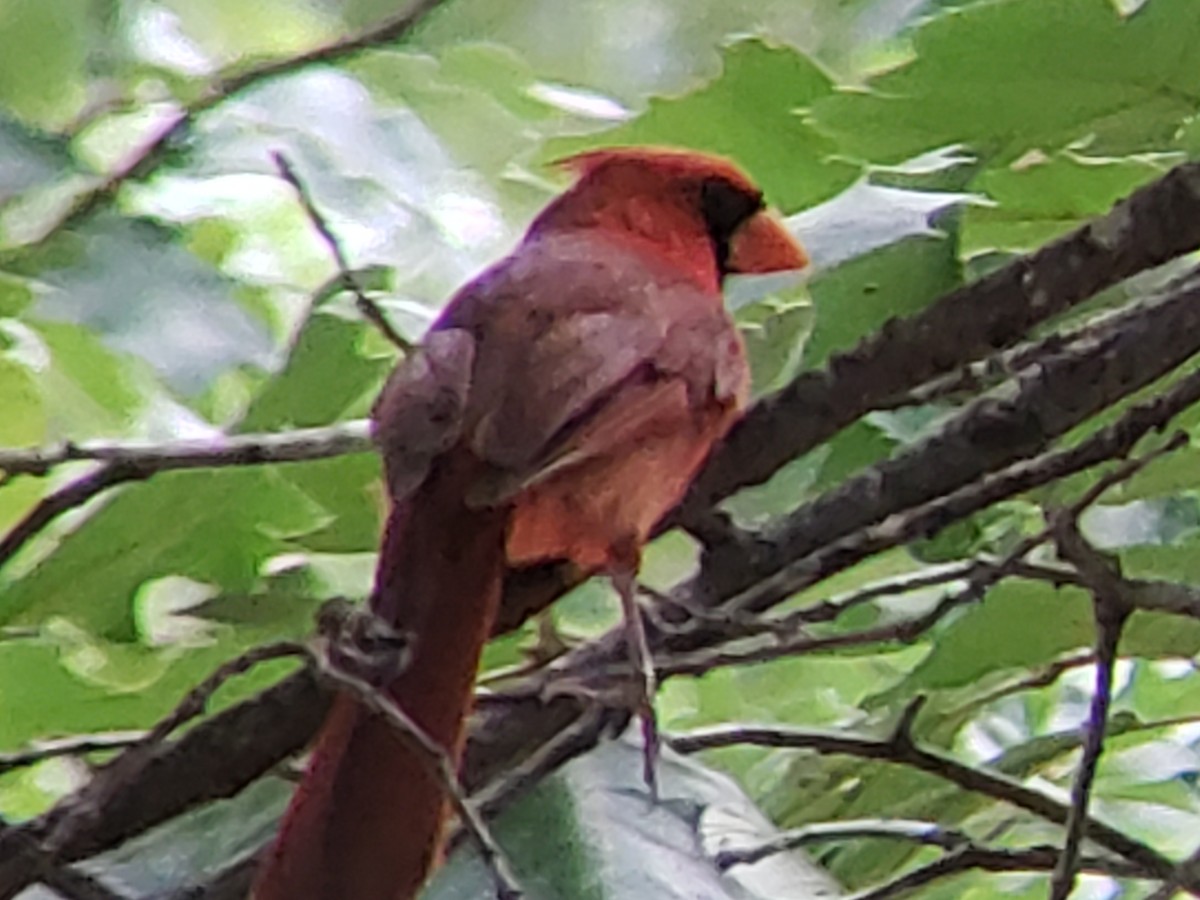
(367, 823)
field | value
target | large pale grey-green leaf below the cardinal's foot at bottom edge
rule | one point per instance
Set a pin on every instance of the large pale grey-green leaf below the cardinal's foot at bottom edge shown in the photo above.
(607, 843)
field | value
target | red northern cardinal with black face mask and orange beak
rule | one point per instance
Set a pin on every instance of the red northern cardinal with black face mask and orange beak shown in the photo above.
(557, 411)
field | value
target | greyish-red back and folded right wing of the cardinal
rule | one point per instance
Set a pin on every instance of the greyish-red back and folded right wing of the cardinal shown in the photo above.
(565, 331)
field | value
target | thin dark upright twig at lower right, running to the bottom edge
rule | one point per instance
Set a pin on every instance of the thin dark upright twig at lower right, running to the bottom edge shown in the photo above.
(1112, 613)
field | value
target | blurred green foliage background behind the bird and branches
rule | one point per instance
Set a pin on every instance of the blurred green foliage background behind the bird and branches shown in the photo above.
(181, 292)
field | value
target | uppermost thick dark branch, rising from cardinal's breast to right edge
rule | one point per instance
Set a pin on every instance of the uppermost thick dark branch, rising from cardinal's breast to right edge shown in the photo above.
(1153, 226)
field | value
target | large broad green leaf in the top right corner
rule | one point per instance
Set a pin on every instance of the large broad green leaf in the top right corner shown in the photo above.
(995, 76)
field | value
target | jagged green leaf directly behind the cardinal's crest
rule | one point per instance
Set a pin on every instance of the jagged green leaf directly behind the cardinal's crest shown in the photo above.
(752, 115)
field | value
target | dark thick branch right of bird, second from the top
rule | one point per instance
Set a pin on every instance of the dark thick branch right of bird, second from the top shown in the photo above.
(1003, 429)
